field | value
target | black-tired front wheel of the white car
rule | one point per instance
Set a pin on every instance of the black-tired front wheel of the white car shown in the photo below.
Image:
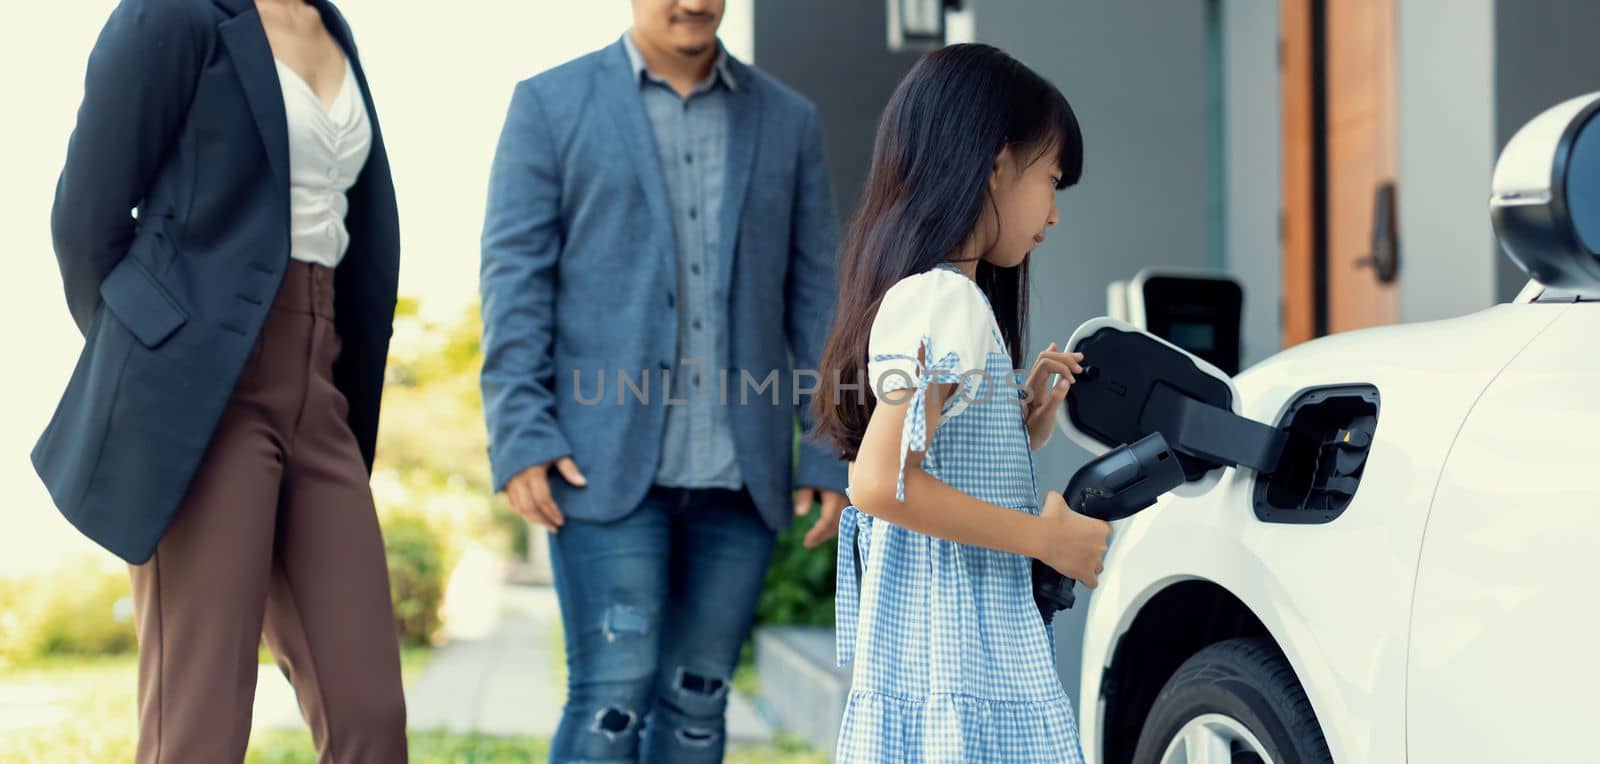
(1241, 696)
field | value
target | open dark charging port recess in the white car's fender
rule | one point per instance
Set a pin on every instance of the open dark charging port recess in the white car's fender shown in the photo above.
(1330, 432)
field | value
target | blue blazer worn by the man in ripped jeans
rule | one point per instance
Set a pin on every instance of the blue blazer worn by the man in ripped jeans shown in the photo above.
(580, 269)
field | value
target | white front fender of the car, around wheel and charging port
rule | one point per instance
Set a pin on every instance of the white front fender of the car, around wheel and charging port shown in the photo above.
(1337, 597)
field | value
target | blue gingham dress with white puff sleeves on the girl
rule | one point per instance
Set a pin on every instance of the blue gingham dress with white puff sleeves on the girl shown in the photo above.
(953, 663)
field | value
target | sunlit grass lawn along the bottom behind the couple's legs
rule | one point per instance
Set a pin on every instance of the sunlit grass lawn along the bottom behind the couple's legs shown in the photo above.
(68, 710)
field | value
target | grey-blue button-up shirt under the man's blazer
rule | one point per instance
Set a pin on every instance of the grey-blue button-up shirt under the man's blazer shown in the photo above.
(692, 141)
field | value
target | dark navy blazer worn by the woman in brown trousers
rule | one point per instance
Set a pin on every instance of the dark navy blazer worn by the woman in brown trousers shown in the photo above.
(183, 121)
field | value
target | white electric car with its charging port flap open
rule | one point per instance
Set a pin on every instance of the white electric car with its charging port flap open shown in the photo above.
(1388, 544)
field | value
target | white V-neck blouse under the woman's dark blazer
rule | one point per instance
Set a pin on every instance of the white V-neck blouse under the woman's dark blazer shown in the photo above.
(329, 146)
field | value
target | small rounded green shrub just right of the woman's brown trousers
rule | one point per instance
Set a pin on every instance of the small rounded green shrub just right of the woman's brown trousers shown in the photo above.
(417, 576)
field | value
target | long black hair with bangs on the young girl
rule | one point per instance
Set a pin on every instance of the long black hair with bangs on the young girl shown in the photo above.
(935, 151)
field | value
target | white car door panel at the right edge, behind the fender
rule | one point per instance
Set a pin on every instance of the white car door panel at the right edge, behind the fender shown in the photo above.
(1505, 631)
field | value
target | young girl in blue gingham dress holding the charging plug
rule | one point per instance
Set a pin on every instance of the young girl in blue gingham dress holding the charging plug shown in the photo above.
(953, 663)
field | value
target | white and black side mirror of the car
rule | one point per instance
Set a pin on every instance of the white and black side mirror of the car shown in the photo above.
(1546, 196)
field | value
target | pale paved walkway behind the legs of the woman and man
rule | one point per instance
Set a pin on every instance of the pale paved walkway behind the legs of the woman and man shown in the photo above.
(500, 670)
